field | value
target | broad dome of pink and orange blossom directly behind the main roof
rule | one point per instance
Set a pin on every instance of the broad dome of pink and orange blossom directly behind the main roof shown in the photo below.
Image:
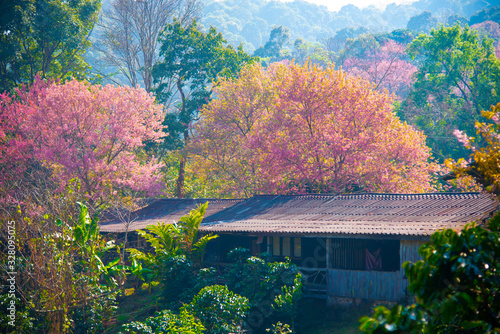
(296, 129)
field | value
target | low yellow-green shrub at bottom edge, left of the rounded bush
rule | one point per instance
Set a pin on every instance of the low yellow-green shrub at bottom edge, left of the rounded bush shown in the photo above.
(166, 322)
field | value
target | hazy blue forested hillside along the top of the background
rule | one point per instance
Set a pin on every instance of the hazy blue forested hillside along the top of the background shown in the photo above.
(250, 21)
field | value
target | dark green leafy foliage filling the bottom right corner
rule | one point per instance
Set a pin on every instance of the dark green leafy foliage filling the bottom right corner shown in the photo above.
(457, 286)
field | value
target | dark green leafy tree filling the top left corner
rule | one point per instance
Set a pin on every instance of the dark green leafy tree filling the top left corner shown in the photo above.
(44, 37)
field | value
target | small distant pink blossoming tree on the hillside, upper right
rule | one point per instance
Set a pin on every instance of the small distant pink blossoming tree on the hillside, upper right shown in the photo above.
(387, 67)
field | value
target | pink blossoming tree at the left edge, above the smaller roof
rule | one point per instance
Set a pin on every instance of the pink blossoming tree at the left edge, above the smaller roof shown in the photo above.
(76, 130)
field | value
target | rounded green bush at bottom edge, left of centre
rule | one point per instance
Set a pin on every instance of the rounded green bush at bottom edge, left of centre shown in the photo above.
(219, 310)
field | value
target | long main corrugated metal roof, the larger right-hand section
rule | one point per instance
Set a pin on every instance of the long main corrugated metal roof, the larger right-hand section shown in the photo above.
(383, 214)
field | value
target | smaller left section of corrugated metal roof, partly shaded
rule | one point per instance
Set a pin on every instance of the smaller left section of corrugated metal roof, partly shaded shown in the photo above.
(167, 210)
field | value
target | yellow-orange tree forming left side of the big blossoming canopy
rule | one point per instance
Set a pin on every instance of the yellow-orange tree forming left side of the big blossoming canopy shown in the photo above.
(220, 148)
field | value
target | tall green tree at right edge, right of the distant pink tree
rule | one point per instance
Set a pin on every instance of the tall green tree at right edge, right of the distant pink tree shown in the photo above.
(458, 77)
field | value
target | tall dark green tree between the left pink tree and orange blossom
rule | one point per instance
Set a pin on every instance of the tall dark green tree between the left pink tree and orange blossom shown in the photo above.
(192, 62)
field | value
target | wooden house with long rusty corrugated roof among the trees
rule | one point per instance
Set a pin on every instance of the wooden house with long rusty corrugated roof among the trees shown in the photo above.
(348, 247)
